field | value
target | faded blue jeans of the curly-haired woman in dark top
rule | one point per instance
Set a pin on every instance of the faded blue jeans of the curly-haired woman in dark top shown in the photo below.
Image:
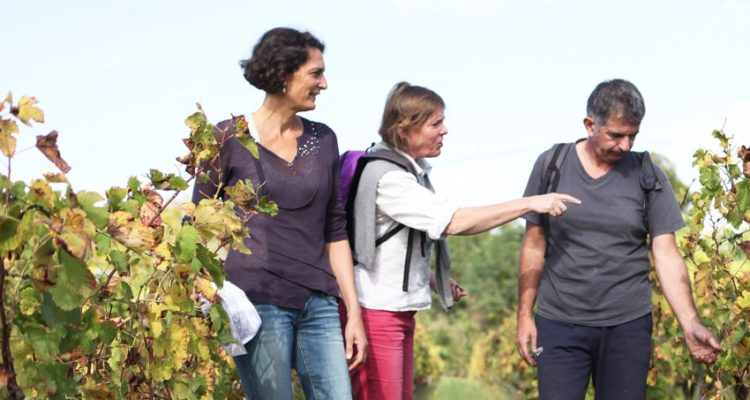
(308, 340)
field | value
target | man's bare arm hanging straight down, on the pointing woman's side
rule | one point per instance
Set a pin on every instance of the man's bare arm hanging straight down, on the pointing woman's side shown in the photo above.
(530, 267)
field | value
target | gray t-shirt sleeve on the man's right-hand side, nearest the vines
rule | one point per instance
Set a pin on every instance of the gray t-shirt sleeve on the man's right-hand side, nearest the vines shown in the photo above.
(664, 214)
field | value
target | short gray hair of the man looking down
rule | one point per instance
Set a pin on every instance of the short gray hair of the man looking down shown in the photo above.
(616, 96)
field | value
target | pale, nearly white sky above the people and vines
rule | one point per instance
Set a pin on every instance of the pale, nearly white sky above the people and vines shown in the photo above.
(116, 79)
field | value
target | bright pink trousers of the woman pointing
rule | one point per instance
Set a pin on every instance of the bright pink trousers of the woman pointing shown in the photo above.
(388, 372)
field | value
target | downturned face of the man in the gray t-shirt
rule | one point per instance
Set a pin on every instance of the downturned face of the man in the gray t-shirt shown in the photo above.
(611, 140)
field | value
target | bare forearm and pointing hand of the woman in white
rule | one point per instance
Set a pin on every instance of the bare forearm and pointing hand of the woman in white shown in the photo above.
(473, 220)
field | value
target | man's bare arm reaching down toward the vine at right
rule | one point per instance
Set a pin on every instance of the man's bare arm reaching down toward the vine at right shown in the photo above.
(675, 283)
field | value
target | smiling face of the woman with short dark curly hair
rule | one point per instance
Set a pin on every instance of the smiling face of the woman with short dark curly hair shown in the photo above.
(305, 84)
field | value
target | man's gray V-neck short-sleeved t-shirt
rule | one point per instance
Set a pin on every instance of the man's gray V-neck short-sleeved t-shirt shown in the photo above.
(596, 268)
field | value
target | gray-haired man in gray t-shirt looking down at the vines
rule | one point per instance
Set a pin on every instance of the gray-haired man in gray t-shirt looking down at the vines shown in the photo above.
(587, 270)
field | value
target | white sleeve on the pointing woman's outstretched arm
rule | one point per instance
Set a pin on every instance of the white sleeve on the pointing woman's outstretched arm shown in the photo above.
(404, 200)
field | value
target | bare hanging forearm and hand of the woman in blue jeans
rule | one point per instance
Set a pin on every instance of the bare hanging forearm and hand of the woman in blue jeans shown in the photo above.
(354, 333)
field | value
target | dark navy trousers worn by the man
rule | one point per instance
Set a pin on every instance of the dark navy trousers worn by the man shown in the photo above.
(616, 358)
